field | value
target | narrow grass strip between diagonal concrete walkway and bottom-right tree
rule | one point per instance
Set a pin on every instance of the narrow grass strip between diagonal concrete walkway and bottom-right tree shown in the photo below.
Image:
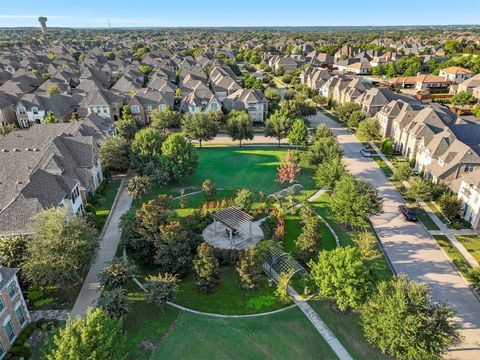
(348, 330)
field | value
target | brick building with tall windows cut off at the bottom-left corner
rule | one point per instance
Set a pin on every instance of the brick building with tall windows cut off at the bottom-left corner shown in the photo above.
(14, 315)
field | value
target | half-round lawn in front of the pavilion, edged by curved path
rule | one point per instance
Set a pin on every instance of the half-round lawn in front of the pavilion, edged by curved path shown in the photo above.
(228, 298)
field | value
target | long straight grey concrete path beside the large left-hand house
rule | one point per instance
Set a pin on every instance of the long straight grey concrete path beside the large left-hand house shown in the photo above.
(90, 292)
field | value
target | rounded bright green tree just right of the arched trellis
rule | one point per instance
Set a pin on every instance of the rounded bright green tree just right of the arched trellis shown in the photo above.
(342, 275)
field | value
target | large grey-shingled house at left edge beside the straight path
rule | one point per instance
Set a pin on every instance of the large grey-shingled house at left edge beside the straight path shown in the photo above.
(46, 166)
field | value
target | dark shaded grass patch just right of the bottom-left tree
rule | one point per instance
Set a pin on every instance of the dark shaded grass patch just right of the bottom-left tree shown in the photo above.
(145, 322)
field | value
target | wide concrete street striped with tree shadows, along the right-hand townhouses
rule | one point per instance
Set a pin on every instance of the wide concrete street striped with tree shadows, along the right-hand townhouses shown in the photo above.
(410, 247)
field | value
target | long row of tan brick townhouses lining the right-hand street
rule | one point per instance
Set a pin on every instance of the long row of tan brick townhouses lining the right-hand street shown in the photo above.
(445, 146)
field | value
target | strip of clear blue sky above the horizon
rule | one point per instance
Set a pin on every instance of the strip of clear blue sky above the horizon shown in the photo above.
(152, 13)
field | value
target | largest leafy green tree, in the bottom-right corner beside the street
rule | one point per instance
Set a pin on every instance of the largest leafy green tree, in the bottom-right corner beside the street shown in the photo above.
(401, 319)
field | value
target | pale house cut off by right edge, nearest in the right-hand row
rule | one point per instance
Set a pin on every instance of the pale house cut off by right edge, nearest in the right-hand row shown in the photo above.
(468, 190)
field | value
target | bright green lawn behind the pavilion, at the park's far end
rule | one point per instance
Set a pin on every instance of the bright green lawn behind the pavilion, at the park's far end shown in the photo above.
(253, 168)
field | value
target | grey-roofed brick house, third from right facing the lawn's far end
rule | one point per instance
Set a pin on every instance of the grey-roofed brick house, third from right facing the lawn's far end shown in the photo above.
(145, 101)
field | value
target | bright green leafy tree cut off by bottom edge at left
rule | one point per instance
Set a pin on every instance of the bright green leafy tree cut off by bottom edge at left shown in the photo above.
(98, 335)
